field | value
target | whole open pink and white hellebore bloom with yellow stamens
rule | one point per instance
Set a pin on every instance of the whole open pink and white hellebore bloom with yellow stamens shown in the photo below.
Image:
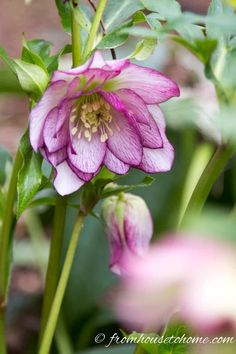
(102, 113)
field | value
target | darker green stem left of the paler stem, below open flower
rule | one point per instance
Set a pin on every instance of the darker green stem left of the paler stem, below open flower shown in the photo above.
(53, 270)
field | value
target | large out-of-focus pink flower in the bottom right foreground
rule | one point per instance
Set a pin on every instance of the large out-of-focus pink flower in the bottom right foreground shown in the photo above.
(191, 279)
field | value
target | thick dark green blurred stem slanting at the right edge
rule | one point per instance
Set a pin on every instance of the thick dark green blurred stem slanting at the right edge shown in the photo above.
(207, 180)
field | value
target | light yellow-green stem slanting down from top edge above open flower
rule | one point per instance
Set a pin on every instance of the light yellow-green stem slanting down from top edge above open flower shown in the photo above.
(94, 28)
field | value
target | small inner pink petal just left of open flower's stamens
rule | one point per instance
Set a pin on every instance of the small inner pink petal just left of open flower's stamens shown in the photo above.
(53, 139)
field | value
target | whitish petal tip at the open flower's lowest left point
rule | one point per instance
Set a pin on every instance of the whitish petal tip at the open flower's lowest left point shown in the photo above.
(66, 181)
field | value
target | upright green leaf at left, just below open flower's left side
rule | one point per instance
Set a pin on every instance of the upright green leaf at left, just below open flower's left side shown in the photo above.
(30, 175)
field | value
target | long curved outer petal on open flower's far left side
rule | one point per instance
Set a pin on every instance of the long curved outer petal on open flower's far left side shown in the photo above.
(51, 98)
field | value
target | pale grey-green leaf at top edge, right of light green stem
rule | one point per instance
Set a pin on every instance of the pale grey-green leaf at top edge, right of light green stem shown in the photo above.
(118, 12)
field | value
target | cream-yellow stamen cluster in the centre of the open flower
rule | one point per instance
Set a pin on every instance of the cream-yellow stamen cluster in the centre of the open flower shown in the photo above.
(91, 114)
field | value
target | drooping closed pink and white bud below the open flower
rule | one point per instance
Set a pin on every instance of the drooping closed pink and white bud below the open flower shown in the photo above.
(129, 228)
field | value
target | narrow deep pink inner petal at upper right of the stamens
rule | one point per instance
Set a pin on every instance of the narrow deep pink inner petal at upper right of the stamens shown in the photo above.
(134, 104)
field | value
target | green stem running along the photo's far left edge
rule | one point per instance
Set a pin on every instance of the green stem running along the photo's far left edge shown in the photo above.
(4, 247)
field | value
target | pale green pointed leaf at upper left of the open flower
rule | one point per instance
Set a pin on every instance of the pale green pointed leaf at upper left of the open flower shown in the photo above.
(32, 78)
